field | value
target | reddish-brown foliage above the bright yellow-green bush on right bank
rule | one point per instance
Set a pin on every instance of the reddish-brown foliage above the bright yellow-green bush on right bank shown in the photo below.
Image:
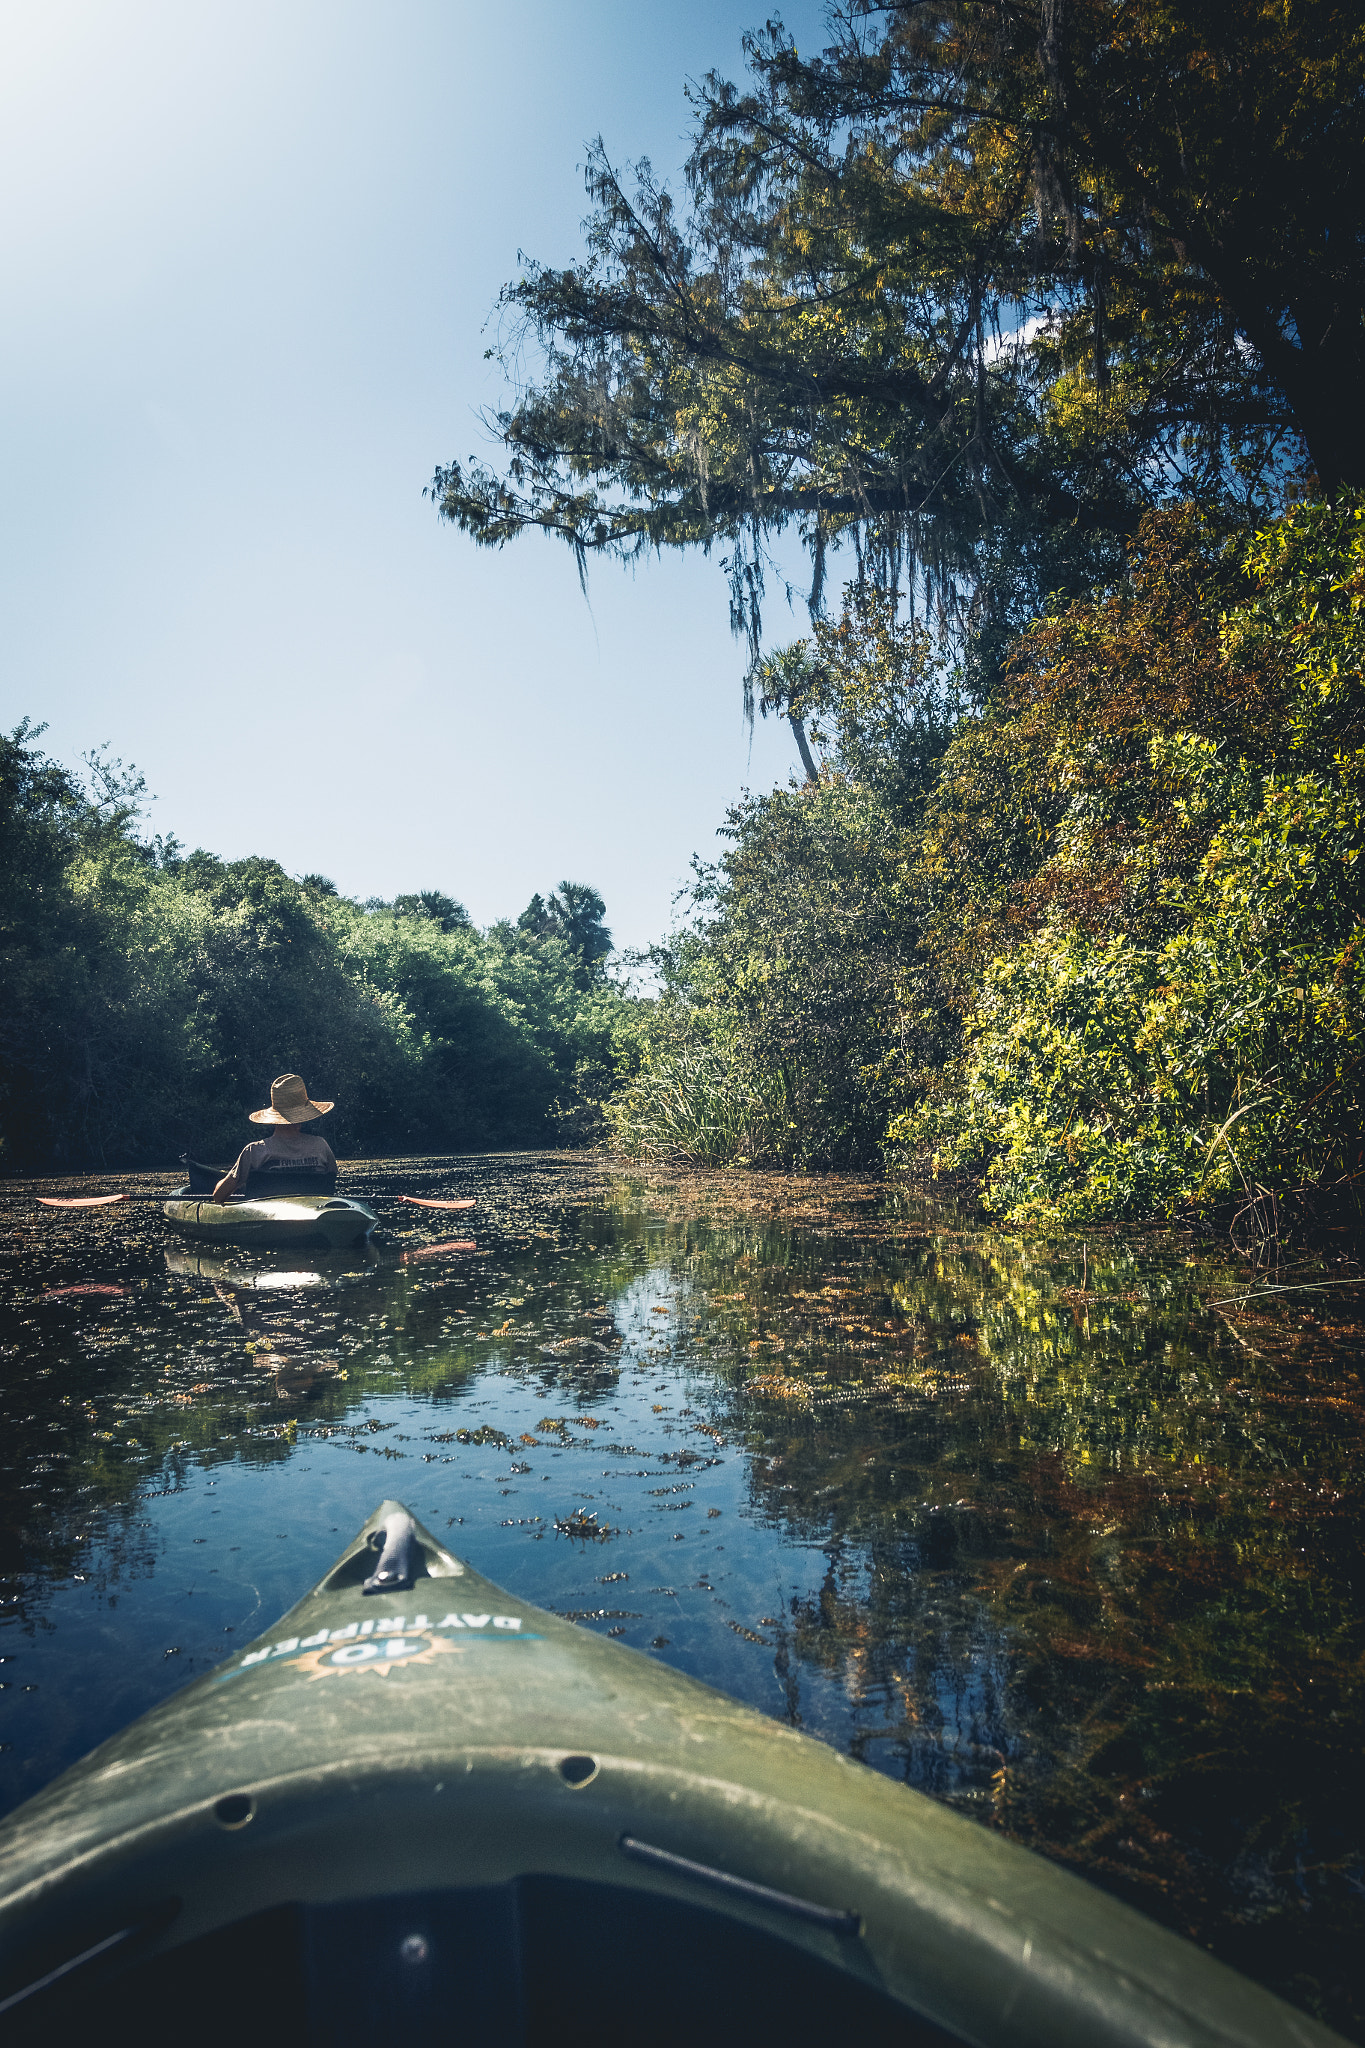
(1055, 804)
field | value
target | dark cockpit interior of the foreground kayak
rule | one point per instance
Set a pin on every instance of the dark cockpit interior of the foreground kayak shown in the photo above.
(539, 1963)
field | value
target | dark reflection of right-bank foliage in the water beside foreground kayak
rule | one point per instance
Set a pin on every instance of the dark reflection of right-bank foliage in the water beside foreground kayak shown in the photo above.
(1094, 1560)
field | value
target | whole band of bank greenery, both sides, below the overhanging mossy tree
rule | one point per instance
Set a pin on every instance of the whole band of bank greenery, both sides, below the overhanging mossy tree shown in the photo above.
(1100, 945)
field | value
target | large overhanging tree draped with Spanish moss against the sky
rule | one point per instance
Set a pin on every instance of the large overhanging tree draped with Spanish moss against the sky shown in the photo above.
(969, 292)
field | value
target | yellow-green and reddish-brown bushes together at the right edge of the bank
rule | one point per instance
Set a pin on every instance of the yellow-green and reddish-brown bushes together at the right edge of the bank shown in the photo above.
(1196, 1033)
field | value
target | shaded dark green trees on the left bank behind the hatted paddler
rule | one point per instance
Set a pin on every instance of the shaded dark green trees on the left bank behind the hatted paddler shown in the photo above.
(150, 996)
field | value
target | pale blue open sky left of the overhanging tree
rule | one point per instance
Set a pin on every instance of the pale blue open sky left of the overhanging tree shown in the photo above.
(249, 255)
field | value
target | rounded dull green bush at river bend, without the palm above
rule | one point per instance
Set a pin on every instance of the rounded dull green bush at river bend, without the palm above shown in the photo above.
(793, 1017)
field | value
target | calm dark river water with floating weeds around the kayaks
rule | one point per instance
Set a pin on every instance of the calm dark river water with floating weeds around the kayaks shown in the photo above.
(1069, 1541)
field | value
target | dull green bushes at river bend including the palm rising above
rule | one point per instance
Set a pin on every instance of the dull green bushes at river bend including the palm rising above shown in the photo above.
(795, 1015)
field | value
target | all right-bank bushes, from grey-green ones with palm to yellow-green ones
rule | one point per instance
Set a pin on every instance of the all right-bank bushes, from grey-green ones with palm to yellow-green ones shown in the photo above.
(1102, 945)
